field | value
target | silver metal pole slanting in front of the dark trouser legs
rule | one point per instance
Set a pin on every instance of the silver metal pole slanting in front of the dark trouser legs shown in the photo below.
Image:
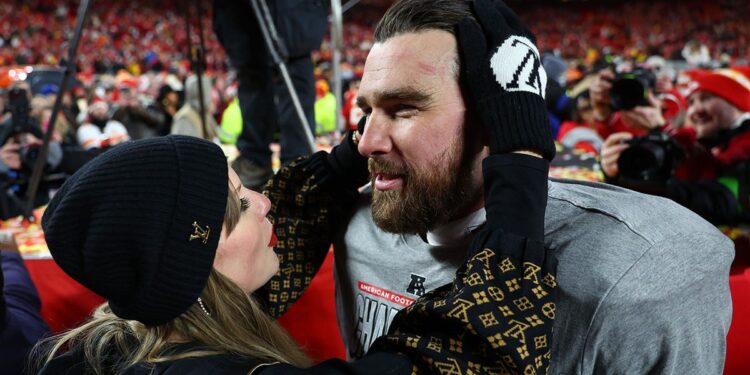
(267, 35)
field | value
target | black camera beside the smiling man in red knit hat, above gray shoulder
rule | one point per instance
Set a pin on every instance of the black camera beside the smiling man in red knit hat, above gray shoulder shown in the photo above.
(650, 158)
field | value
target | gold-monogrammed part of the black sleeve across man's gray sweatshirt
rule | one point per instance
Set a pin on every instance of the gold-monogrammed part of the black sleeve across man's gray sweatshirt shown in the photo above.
(496, 317)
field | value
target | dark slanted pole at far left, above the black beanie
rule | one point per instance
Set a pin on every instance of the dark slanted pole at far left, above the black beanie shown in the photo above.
(41, 160)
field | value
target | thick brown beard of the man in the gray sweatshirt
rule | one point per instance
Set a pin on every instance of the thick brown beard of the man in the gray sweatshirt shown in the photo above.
(429, 197)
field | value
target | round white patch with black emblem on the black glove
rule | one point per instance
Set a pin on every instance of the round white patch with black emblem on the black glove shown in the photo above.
(517, 66)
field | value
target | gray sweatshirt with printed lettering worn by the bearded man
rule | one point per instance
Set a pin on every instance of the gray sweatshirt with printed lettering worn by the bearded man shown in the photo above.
(643, 281)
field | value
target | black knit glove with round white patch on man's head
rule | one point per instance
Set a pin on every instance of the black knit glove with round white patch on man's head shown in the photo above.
(503, 77)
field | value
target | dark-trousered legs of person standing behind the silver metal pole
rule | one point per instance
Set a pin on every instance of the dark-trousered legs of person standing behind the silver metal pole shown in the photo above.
(265, 102)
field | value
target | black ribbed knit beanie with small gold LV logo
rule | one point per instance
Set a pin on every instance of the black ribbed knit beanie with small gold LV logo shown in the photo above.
(139, 224)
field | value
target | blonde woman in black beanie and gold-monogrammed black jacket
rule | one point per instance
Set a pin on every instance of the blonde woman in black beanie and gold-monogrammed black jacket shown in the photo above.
(165, 231)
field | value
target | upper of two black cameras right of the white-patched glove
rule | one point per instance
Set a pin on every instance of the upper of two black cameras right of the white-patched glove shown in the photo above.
(630, 89)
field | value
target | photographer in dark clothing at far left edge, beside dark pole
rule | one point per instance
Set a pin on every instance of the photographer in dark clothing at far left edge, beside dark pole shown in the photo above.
(20, 135)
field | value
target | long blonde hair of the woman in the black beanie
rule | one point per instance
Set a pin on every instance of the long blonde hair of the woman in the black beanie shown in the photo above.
(238, 326)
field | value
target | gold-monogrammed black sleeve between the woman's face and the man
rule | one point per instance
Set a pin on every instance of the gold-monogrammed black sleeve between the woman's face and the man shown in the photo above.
(309, 197)
